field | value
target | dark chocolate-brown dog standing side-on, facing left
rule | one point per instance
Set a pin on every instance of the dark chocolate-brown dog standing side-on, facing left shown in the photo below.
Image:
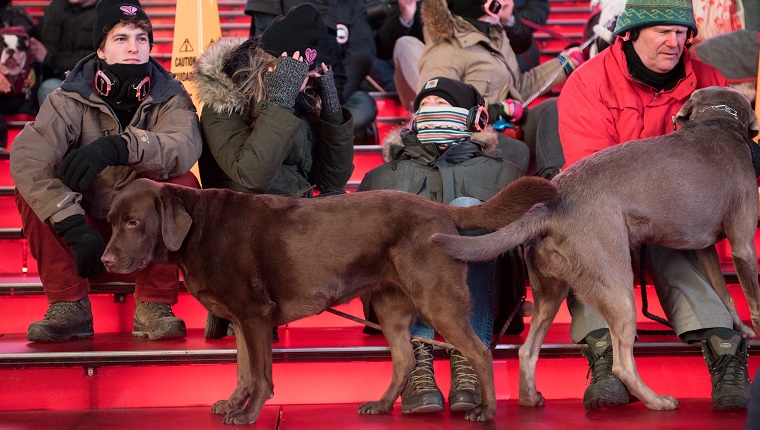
(262, 261)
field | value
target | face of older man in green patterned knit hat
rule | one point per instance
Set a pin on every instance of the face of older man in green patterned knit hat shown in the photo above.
(660, 47)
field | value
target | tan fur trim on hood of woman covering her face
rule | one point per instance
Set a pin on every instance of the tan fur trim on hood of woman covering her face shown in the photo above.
(215, 89)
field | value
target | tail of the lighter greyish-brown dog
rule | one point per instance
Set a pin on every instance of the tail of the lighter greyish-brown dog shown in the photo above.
(487, 247)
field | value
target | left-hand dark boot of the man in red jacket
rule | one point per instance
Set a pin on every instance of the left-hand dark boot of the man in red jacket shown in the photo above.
(605, 389)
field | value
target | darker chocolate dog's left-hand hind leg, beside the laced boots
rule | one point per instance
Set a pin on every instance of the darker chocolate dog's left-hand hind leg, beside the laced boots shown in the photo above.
(395, 313)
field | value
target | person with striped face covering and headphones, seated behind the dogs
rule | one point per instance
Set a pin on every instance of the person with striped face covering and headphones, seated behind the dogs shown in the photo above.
(450, 155)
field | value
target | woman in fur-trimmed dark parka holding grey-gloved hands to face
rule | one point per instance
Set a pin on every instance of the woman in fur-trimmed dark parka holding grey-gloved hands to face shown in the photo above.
(269, 124)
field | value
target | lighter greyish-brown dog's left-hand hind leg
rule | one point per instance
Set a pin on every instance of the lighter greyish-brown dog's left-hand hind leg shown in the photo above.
(548, 294)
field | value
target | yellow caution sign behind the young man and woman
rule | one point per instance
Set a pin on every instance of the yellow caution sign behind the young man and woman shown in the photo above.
(196, 26)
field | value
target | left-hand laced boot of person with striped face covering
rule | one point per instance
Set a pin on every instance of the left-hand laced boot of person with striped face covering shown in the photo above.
(421, 394)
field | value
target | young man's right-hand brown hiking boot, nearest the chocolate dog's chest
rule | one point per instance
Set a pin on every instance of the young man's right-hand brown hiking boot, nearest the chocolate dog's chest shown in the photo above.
(157, 321)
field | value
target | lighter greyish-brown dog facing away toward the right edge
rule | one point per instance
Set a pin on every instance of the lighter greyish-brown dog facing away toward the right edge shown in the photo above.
(684, 190)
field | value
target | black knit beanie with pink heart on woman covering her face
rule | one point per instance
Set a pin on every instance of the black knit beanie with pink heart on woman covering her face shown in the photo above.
(300, 29)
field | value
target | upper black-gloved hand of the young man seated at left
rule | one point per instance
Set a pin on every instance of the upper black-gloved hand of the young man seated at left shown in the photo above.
(81, 166)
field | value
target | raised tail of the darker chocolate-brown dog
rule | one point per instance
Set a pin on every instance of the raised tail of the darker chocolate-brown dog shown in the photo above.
(505, 207)
